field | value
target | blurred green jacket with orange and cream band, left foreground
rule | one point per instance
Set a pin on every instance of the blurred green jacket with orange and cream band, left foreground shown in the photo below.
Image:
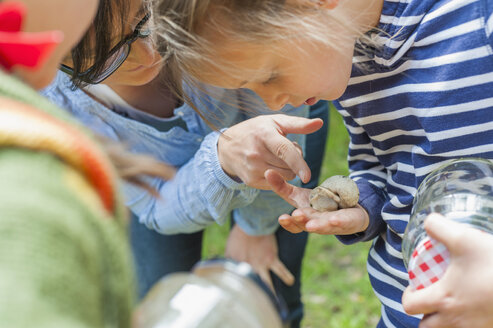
(64, 256)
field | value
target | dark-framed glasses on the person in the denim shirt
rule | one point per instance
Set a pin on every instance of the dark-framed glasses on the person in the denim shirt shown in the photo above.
(117, 55)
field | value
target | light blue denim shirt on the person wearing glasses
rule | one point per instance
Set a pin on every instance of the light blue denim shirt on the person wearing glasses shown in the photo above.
(201, 192)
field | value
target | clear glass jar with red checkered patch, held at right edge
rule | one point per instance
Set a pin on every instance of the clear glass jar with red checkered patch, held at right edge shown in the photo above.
(461, 190)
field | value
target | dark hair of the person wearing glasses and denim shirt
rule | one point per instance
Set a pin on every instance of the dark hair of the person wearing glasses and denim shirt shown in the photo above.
(94, 47)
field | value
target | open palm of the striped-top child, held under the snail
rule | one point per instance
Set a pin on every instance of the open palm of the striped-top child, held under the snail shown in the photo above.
(304, 218)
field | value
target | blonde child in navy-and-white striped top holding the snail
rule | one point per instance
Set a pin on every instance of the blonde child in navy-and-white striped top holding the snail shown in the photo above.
(412, 79)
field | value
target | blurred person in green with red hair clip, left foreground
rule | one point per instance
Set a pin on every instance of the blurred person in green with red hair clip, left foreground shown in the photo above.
(64, 256)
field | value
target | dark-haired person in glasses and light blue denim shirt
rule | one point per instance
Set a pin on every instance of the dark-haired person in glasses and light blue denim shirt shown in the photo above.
(127, 101)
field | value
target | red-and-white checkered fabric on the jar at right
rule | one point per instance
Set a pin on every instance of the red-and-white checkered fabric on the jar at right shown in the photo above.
(428, 263)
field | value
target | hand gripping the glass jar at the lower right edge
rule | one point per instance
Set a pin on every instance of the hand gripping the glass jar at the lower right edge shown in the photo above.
(463, 297)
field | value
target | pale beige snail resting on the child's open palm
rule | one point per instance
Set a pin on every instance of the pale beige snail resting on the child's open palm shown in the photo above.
(334, 193)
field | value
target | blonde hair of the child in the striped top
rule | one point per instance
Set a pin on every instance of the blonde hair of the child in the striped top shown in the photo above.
(182, 25)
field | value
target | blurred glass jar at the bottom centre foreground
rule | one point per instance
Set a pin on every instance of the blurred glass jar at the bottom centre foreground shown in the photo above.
(217, 293)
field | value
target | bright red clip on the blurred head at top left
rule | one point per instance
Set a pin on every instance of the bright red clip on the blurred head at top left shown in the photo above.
(25, 49)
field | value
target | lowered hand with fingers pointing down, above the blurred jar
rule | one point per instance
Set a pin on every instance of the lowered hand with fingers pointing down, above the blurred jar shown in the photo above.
(260, 252)
